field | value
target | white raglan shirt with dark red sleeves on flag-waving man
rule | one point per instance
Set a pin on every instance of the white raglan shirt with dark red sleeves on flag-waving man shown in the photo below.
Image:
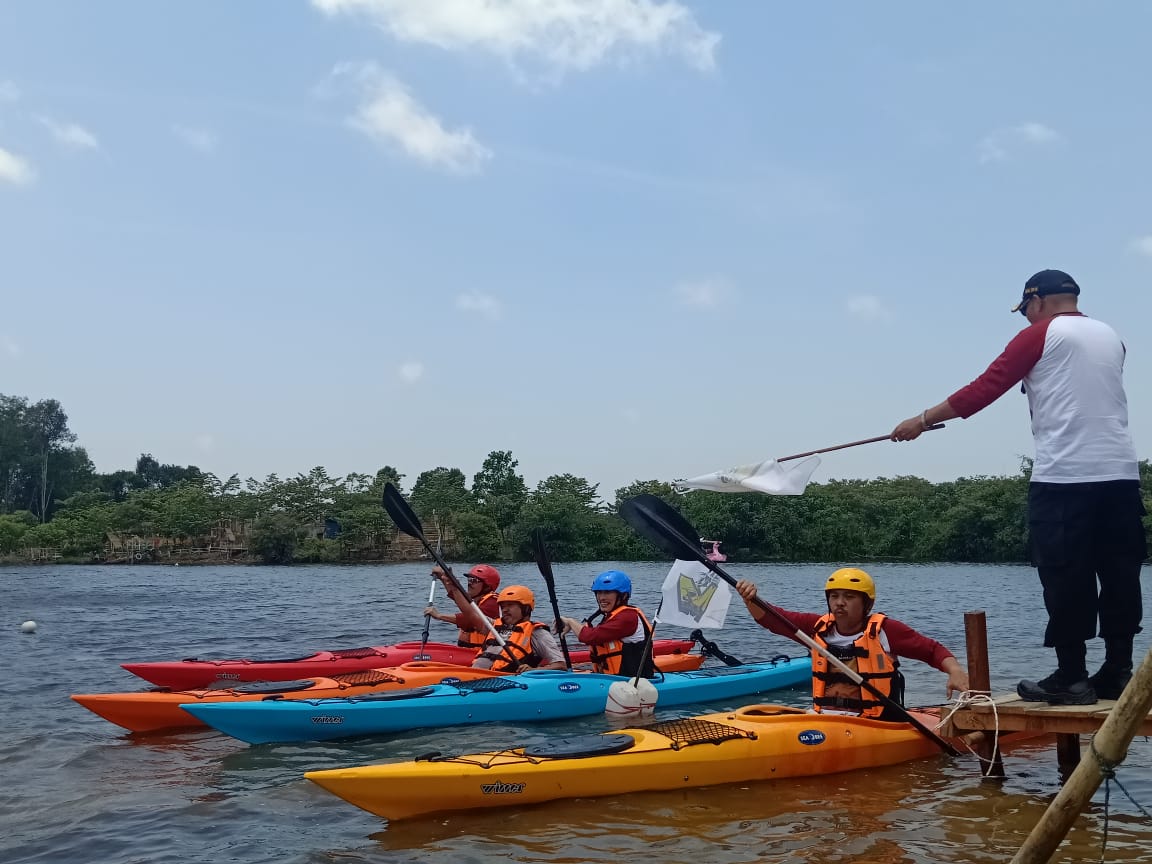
(1073, 373)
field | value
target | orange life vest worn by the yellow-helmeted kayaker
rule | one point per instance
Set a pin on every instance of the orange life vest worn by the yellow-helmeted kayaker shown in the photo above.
(832, 689)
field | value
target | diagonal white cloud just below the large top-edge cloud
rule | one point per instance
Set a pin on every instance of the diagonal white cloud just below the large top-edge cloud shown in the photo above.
(391, 116)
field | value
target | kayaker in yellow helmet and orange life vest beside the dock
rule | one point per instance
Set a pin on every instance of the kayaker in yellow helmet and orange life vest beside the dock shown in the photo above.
(868, 642)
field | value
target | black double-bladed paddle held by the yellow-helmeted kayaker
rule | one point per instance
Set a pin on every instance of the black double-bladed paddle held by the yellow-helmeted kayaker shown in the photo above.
(658, 522)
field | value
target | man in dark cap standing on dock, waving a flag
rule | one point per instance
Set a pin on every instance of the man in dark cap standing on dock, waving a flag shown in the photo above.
(1085, 509)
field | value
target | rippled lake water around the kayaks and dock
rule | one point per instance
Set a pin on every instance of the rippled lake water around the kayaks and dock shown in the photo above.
(79, 790)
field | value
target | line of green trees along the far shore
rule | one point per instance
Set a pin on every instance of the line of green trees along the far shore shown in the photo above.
(51, 496)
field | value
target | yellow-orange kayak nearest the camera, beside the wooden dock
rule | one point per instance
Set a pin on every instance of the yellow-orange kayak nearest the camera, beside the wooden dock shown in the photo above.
(757, 742)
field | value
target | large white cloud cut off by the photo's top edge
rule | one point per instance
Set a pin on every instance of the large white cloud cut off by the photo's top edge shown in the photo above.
(559, 34)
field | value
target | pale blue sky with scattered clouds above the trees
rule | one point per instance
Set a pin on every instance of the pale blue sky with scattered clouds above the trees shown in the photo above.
(622, 239)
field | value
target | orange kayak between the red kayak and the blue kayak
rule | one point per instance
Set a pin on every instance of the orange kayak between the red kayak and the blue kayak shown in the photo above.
(158, 710)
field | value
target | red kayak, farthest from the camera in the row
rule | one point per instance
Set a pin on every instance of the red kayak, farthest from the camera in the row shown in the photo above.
(196, 673)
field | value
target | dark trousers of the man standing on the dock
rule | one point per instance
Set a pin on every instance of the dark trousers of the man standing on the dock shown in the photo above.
(1085, 535)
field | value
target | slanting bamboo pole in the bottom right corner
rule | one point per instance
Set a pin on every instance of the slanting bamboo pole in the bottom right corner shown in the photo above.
(1111, 746)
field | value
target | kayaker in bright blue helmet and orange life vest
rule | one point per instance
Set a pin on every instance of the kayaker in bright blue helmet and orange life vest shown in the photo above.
(618, 641)
